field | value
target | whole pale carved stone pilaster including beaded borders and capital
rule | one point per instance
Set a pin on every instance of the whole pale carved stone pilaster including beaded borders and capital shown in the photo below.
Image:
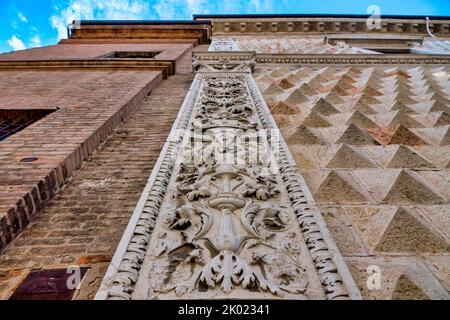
(226, 220)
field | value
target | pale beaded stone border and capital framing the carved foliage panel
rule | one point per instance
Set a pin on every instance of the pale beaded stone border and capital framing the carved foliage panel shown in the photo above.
(124, 270)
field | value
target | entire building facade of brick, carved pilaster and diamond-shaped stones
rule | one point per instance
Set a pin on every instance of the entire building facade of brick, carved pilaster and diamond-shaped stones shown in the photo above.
(228, 157)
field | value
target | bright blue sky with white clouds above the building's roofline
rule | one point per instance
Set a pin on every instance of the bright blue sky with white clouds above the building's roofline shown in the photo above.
(31, 23)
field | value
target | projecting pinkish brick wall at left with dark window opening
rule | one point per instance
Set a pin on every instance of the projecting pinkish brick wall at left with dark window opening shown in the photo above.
(91, 105)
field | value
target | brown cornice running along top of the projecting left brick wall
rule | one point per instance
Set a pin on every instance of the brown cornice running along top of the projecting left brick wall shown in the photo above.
(166, 67)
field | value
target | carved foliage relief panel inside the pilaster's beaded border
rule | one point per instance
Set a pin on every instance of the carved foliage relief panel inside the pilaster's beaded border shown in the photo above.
(226, 229)
